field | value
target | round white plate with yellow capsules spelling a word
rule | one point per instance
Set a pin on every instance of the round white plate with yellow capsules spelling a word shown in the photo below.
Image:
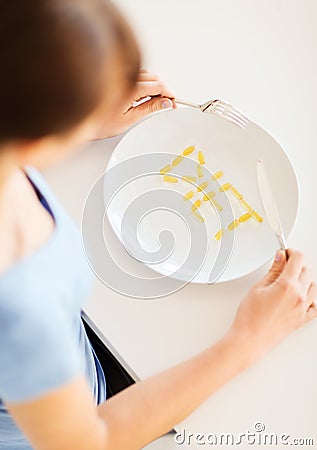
(151, 145)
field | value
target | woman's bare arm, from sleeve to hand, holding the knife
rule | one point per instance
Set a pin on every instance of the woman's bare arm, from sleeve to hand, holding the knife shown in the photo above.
(67, 418)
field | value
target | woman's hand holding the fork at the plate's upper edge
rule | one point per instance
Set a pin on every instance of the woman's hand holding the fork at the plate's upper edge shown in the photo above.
(155, 96)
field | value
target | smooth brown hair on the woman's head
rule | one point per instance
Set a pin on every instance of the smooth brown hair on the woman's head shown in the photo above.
(56, 57)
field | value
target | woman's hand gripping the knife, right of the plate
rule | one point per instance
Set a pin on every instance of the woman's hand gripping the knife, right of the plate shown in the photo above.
(280, 303)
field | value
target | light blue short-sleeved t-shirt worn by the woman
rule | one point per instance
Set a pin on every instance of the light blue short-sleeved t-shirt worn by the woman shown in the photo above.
(43, 343)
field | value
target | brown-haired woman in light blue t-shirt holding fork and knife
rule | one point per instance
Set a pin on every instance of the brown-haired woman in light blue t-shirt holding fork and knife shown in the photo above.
(69, 69)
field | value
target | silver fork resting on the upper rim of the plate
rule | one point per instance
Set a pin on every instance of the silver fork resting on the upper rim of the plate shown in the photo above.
(219, 108)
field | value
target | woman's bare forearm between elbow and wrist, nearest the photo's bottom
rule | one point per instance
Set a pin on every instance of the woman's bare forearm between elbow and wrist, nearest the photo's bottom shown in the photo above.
(154, 406)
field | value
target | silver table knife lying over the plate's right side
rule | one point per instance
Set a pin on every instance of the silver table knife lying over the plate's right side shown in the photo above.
(269, 205)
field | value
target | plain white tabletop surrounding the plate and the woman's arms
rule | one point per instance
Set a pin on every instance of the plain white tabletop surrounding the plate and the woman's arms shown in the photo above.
(260, 56)
